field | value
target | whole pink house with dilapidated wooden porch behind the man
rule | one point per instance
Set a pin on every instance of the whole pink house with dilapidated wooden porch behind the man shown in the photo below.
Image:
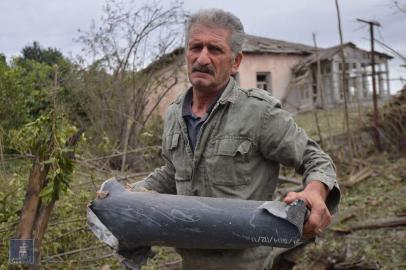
(289, 72)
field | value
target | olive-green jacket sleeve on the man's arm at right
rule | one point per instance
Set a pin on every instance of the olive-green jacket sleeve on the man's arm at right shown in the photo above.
(281, 140)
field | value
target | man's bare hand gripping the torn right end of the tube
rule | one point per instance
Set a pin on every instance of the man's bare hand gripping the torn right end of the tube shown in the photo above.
(314, 196)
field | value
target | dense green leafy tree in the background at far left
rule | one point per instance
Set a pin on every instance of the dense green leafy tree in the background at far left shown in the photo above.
(25, 84)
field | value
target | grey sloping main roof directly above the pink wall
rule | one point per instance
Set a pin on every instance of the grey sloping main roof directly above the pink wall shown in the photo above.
(256, 44)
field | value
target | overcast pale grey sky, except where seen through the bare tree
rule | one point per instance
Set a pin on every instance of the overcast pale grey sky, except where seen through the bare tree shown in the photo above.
(55, 23)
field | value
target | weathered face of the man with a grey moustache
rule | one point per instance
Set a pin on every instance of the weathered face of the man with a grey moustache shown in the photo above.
(209, 58)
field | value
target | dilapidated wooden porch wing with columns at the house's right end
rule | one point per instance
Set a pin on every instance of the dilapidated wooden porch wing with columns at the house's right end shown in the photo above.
(326, 64)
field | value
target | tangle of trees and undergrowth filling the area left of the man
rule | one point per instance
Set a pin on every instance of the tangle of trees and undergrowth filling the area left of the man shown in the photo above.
(47, 101)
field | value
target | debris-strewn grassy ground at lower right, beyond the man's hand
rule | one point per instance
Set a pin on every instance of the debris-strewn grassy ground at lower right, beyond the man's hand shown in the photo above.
(380, 196)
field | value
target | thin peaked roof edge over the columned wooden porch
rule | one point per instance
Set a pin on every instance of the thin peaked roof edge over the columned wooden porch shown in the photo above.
(329, 53)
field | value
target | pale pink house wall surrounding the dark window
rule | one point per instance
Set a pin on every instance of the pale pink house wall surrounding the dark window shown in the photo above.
(279, 65)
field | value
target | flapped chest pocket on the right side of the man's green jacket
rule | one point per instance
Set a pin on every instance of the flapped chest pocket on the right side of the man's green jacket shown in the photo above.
(230, 164)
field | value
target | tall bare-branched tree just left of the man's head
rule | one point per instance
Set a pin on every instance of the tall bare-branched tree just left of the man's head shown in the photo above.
(126, 46)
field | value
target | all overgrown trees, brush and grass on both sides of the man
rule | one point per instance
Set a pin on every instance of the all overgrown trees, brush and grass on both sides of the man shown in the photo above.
(46, 100)
